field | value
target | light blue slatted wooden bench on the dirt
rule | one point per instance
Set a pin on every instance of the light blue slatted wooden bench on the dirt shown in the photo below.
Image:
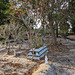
(37, 54)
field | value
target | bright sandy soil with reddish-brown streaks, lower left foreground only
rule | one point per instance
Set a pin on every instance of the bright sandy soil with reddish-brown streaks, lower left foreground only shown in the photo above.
(14, 65)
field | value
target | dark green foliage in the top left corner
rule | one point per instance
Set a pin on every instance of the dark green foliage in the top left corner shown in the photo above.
(3, 7)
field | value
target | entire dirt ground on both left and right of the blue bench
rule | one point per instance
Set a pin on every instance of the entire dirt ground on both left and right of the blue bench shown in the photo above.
(61, 60)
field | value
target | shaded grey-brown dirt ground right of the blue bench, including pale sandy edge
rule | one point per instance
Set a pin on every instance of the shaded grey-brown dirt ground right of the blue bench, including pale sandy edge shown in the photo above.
(61, 59)
